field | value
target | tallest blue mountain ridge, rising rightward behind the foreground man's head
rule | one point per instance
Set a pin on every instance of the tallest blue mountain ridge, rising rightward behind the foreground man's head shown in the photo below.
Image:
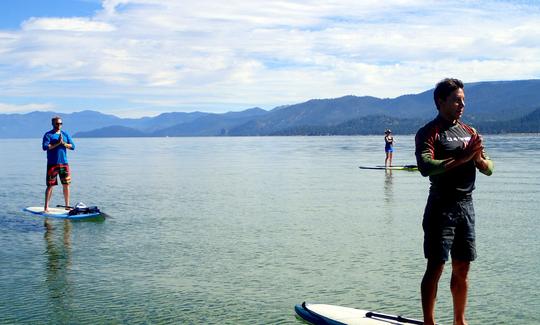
(485, 101)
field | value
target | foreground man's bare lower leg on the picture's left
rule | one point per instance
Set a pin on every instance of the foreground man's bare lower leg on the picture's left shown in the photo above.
(429, 286)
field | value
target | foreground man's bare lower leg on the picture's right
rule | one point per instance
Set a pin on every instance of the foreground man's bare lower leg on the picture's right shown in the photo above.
(459, 286)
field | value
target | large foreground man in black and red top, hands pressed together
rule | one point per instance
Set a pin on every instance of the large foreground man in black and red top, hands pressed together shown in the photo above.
(449, 152)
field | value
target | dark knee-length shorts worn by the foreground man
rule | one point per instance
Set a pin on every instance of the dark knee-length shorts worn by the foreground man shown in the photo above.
(449, 228)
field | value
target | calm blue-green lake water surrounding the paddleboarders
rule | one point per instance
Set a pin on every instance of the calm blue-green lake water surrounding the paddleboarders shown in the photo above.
(238, 230)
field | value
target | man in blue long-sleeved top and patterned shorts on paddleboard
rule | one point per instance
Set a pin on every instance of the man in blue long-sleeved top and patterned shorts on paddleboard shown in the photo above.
(56, 142)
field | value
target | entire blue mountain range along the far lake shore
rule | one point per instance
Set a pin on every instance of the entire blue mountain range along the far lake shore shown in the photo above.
(492, 107)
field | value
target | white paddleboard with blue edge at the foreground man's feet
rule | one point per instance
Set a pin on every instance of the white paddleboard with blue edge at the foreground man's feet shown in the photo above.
(336, 315)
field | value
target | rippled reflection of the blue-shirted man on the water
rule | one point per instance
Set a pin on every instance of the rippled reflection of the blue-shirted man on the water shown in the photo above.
(58, 264)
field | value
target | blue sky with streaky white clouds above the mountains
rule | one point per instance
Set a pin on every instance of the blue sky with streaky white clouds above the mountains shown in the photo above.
(134, 58)
